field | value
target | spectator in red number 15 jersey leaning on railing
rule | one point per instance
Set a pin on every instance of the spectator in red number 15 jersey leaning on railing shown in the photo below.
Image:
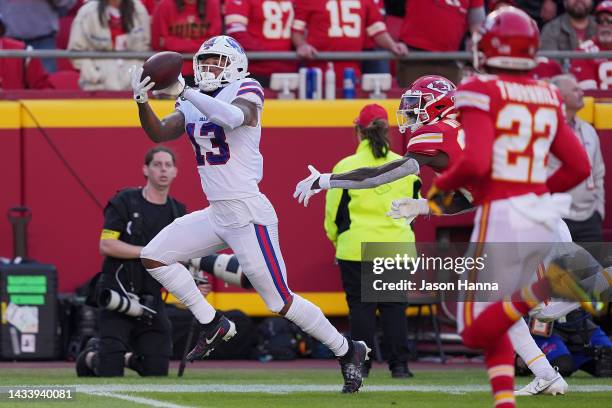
(340, 25)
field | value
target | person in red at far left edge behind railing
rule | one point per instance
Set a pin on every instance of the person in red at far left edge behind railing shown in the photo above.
(20, 73)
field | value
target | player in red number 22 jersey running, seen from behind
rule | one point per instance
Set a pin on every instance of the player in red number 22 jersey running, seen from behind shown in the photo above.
(511, 123)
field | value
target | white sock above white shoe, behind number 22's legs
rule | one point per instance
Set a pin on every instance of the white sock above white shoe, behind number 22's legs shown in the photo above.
(526, 347)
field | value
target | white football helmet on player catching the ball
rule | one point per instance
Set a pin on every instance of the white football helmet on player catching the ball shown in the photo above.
(232, 60)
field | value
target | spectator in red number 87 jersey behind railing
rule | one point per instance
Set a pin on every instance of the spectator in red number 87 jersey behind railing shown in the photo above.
(262, 25)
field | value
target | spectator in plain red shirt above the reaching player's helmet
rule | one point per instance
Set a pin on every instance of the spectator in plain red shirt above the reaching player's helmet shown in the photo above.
(437, 25)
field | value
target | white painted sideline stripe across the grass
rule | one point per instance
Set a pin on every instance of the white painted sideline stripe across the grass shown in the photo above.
(291, 388)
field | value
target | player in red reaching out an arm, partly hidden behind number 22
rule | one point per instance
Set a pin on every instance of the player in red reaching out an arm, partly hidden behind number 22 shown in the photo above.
(427, 111)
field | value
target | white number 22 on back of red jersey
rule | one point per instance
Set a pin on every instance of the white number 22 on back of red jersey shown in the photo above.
(513, 160)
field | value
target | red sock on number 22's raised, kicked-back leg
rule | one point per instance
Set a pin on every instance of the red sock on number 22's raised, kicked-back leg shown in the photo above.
(498, 317)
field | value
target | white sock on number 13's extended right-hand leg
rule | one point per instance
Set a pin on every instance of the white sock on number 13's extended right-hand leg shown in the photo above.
(311, 319)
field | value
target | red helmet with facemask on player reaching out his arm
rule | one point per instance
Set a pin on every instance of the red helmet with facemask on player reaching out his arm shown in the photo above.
(428, 100)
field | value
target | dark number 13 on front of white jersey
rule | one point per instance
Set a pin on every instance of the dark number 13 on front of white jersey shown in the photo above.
(209, 144)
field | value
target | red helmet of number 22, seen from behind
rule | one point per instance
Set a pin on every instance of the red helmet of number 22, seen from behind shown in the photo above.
(508, 39)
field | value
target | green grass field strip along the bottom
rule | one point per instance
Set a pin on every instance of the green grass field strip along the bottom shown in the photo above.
(294, 388)
